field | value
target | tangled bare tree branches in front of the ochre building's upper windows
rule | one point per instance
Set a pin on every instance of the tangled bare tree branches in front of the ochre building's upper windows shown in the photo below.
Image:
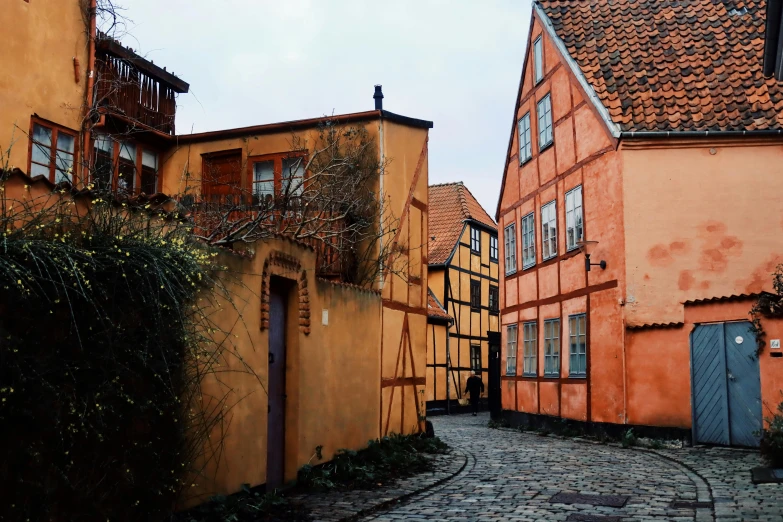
(328, 195)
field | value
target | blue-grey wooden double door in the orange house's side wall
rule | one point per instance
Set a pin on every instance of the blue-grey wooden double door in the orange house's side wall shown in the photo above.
(726, 385)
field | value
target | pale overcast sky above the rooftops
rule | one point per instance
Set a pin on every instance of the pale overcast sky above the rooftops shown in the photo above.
(249, 62)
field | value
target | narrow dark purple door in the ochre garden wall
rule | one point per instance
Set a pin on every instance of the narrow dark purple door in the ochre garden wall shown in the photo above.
(275, 449)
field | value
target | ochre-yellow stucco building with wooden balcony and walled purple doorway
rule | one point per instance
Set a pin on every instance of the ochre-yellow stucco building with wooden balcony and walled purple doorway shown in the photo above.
(101, 115)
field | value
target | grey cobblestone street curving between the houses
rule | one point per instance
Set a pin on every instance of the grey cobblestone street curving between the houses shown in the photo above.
(512, 476)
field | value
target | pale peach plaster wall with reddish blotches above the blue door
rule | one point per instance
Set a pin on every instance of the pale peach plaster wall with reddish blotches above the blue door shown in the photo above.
(702, 220)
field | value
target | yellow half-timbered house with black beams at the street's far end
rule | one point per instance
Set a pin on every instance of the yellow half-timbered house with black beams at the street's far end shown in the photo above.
(463, 278)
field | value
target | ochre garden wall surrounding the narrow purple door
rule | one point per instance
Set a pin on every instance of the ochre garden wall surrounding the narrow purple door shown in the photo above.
(323, 367)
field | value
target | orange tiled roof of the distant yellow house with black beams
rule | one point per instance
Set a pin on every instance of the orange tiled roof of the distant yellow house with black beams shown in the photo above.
(450, 204)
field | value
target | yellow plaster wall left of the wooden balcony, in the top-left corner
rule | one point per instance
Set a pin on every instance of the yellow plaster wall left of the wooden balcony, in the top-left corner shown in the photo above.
(40, 42)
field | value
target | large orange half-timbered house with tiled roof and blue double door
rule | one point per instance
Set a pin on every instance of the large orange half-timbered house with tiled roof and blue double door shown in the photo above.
(659, 161)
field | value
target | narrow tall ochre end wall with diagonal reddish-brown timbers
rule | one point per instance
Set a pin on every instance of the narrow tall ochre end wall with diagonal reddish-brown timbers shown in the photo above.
(404, 348)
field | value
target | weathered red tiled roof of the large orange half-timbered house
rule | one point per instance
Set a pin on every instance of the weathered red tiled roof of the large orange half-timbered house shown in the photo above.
(673, 65)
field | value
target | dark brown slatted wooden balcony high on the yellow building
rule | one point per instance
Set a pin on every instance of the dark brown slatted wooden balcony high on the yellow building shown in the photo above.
(134, 88)
